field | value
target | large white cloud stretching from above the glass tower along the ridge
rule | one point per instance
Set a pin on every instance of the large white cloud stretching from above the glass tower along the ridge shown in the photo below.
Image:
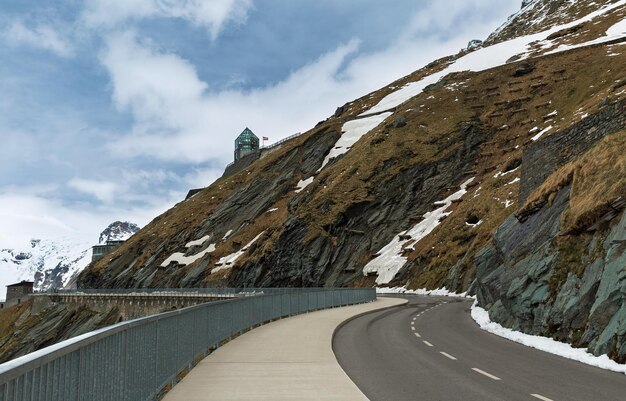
(178, 118)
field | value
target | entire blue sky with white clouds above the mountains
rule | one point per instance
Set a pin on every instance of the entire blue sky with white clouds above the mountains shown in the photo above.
(113, 109)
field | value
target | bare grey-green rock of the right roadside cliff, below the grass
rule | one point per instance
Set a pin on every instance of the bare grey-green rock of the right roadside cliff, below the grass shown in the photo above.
(571, 289)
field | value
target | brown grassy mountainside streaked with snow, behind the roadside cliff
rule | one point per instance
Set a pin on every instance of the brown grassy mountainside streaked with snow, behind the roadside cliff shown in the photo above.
(407, 185)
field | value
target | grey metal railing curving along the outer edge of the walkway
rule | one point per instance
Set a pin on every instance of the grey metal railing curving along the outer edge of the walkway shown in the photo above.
(139, 359)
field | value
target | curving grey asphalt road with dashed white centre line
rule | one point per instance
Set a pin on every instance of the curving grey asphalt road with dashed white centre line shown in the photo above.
(431, 349)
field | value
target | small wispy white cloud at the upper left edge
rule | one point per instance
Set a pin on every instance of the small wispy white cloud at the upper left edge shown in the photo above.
(39, 36)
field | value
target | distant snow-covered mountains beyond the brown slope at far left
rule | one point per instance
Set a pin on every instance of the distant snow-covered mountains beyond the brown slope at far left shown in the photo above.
(53, 263)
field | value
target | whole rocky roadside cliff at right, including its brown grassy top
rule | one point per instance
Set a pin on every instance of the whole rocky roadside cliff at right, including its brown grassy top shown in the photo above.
(558, 270)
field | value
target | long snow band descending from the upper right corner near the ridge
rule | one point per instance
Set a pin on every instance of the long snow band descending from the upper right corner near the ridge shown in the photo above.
(495, 56)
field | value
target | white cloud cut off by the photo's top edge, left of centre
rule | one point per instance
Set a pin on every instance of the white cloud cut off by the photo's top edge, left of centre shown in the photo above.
(209, 14)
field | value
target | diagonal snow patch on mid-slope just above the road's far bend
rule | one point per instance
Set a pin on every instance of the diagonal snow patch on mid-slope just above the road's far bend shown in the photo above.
(390, 258)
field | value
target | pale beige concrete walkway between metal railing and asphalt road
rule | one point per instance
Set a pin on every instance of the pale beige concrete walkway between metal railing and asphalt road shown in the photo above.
(290, 359)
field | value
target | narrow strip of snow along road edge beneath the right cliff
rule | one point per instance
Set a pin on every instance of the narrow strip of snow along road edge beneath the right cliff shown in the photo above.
(481, 317)
